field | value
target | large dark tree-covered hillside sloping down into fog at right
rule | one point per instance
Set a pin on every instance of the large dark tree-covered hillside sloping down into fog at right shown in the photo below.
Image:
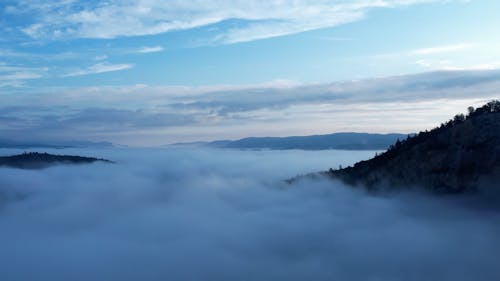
(458, 156)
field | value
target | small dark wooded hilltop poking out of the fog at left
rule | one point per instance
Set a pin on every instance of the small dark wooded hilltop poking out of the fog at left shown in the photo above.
(35, 160)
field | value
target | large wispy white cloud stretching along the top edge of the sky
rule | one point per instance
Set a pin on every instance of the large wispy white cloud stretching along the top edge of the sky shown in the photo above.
(256, 19)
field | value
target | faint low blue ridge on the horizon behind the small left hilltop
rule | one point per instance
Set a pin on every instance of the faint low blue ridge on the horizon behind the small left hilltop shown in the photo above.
(6, 143)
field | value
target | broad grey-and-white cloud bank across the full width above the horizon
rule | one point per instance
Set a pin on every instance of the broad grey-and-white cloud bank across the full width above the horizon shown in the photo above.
(144, 115)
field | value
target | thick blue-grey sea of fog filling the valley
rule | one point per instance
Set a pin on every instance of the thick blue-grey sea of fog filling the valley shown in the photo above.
(211, 214)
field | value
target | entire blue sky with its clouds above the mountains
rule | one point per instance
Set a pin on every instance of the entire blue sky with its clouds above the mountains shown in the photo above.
(147, 73)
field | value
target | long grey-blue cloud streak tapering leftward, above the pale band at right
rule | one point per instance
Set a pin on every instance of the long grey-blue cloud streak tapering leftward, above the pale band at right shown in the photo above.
(426, 86)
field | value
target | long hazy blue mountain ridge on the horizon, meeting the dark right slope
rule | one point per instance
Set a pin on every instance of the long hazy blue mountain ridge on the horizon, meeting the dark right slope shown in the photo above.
(345, 141)
